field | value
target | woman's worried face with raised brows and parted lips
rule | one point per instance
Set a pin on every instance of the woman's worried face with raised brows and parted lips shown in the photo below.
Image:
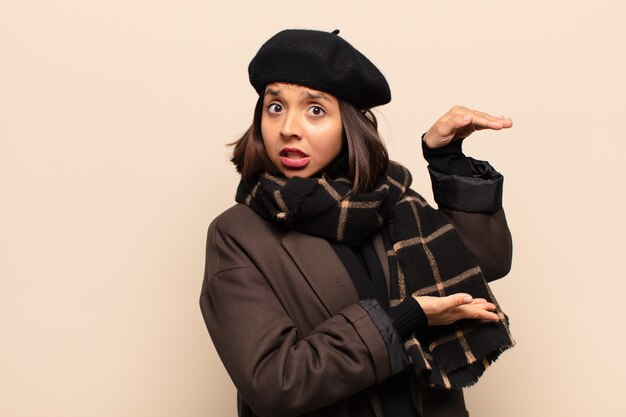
(301, 128)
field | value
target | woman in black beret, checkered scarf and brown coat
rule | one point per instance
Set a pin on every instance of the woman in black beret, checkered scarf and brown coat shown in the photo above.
(332, 288)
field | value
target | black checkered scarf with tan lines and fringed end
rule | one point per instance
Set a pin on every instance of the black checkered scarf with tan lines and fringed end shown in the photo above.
(425, 254)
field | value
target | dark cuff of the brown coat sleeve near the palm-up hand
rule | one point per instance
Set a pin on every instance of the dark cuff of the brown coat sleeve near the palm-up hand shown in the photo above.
(398, 359)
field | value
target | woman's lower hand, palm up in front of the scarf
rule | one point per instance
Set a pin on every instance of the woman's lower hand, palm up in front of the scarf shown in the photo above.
(447, 310)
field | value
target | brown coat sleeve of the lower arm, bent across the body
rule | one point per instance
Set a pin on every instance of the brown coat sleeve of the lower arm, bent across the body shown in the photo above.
(278, 371)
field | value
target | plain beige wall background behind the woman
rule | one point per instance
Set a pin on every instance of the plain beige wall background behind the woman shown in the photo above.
(113, 117)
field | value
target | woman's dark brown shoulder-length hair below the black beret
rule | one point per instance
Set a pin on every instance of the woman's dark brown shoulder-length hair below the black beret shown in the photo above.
(367, 157)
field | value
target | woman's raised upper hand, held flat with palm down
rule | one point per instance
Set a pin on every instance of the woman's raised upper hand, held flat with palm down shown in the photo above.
(460, 122)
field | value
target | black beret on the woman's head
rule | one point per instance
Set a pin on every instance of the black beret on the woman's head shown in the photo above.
(320, 60)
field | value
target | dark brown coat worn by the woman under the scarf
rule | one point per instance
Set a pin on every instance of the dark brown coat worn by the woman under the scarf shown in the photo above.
(282, 313)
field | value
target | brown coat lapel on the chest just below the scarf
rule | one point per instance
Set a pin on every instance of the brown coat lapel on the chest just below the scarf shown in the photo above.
(323, 270)
